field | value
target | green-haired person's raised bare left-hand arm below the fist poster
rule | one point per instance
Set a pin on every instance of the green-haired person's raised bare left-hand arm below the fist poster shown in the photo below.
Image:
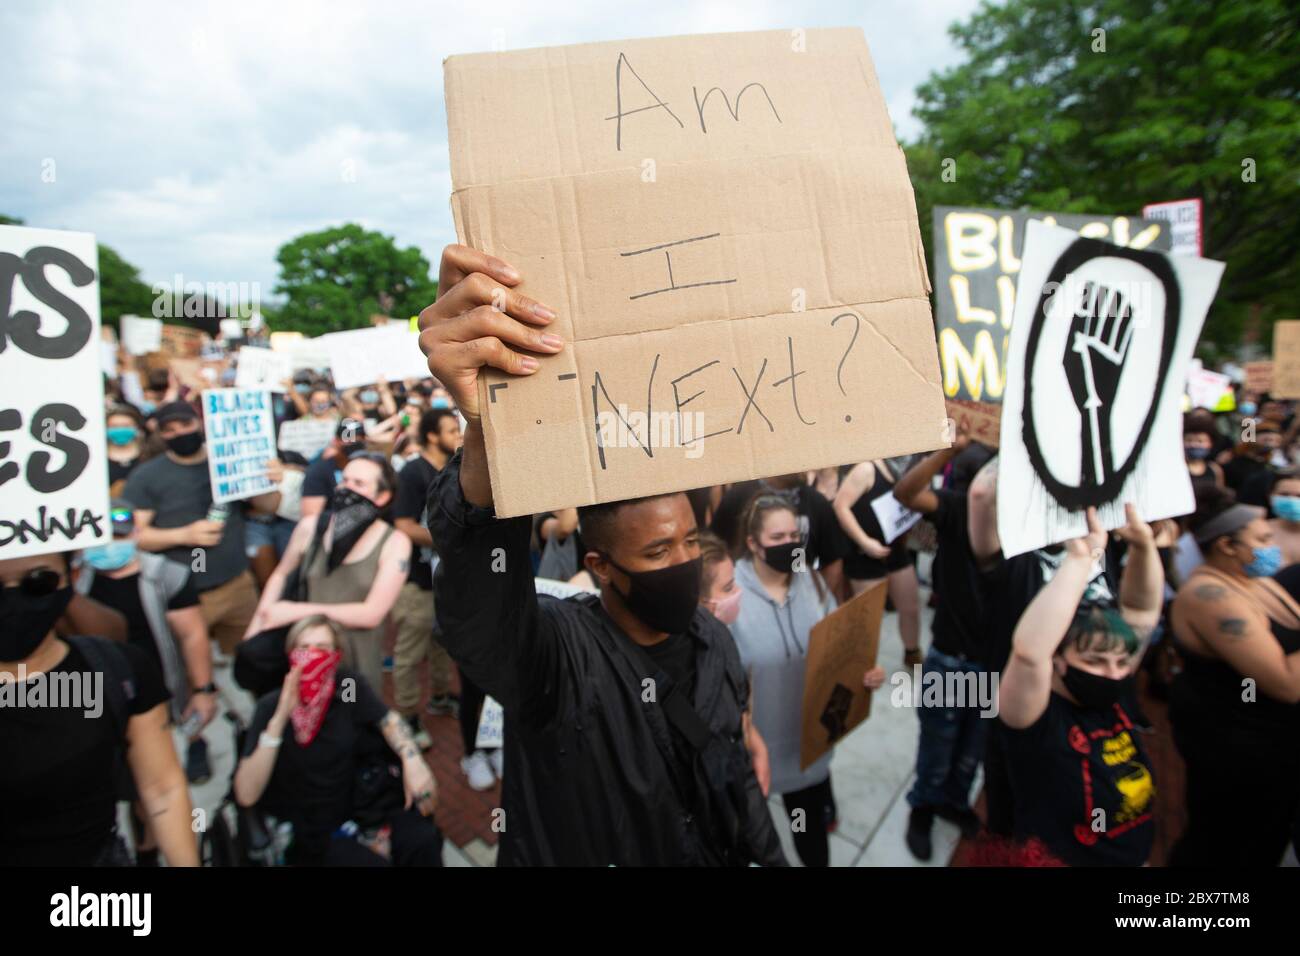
(1026, 685)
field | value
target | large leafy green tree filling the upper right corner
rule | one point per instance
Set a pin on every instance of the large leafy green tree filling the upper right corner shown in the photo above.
(1173, 100)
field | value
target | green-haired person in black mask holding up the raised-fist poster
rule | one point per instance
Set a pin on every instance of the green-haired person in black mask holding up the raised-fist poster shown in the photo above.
(1078, 764)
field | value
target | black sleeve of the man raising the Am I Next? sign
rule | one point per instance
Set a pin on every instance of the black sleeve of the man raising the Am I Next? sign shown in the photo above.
(486, 598)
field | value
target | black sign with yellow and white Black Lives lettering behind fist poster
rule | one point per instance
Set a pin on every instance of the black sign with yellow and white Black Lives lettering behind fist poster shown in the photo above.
(978, 257)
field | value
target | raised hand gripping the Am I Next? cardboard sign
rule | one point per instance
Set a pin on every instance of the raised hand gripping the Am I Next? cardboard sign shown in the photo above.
(479, 321)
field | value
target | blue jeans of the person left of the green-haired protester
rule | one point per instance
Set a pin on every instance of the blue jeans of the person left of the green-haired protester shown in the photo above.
(952, 741)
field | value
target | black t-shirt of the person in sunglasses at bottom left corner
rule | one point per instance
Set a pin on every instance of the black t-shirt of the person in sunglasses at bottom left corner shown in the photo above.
(58, 795)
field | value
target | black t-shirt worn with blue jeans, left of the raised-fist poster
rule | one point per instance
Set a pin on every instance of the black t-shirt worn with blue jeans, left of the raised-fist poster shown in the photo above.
(960, 625)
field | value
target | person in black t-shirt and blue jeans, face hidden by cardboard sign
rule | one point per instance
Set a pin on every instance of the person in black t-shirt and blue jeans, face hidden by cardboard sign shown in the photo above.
(952, 734)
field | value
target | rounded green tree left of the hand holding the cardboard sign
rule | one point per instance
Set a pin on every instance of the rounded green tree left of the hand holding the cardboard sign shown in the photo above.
(339, 278)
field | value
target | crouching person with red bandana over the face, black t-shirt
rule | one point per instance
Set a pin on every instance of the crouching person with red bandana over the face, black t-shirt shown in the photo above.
(315, 756)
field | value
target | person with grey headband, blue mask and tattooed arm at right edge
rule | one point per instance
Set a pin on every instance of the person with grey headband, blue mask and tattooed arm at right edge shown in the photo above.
(1234, 706)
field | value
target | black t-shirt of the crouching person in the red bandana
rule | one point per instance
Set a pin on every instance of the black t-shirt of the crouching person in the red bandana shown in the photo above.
(313, 786)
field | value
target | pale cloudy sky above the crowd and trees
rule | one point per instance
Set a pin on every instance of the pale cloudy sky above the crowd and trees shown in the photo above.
(197, 139)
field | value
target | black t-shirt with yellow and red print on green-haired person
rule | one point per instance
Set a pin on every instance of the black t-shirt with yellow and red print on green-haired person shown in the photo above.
(1069, 765)
